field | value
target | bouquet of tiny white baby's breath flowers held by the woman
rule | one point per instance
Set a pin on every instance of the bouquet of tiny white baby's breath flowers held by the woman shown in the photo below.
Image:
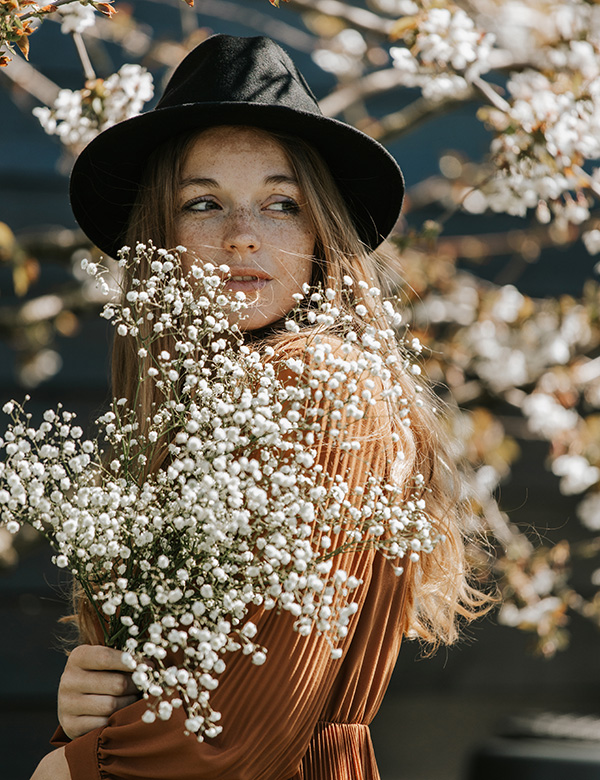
(222, 498)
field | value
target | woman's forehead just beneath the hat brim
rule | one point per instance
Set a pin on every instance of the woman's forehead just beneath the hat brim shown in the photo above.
(220, 144)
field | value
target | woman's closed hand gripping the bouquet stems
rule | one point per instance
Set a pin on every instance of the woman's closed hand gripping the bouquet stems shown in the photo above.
(95, 684)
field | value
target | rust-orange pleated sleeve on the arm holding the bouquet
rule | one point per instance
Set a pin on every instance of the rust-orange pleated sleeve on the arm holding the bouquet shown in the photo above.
(269, 712)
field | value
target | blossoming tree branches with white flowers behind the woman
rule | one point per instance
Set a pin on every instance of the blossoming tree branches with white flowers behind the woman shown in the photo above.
(529, 72)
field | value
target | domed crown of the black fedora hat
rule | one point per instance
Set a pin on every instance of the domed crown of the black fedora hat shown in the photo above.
(228, 69)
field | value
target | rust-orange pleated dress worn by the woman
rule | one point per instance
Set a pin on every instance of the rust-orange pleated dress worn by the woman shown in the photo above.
(300, 716)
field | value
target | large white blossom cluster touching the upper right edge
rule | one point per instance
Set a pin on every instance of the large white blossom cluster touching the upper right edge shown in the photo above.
(550, 127)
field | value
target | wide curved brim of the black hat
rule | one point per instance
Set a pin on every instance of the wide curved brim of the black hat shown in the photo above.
(106, 175)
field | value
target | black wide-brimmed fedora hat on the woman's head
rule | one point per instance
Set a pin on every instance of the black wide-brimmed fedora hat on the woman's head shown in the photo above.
(228, 80)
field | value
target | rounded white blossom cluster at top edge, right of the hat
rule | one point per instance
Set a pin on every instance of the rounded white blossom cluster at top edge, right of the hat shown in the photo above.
(444, 52)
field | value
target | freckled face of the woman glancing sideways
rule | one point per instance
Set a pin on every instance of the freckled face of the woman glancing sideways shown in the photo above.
(239, 204)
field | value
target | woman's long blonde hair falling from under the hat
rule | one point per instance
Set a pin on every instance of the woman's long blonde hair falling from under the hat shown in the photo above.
(439, 590)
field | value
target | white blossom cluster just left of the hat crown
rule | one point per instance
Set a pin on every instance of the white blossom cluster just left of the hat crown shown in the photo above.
(78, 116)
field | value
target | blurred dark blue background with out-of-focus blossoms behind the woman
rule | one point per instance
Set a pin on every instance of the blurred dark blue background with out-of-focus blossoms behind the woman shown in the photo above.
(506, 303)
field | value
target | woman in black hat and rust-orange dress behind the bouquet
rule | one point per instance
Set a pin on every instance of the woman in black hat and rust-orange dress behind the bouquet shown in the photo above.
(237, 164)
